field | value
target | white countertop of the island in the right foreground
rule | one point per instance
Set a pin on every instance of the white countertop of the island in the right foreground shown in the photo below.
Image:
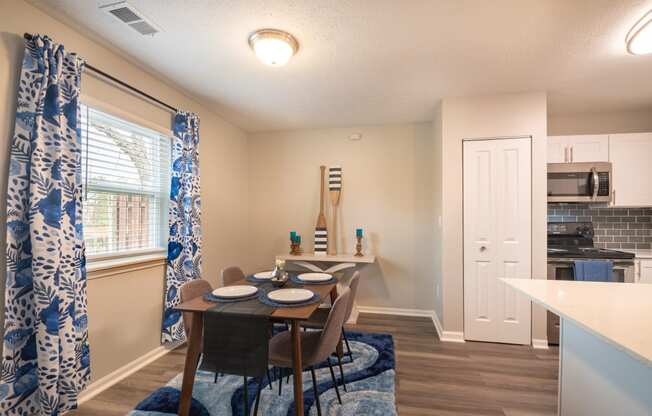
(620, 313)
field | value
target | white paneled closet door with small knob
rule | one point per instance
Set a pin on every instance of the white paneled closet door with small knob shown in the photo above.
(497, 239)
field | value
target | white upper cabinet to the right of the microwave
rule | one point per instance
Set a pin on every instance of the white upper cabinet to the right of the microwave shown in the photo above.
(631, 160)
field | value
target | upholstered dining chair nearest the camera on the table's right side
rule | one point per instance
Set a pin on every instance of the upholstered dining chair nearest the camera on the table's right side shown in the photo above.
(316, 346)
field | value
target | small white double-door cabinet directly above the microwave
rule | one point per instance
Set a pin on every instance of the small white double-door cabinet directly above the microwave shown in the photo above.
(583, 148)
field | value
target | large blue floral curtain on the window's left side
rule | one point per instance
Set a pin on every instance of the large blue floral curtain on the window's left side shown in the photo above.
(46, 359)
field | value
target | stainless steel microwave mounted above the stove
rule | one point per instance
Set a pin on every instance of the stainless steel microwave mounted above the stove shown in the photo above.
(579, 182)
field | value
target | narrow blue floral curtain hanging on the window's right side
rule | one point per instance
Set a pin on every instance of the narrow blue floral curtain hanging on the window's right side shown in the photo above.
(184, 244)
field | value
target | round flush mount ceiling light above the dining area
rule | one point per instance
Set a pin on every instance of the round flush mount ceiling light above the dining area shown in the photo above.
(273, 47)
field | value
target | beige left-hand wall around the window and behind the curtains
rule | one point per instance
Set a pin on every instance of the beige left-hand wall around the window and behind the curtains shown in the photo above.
(125, 309)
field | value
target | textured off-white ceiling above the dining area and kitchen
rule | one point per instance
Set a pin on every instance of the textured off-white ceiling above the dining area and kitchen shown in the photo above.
(384, 61)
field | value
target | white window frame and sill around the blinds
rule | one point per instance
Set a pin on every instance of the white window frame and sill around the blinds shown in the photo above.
(117, 259)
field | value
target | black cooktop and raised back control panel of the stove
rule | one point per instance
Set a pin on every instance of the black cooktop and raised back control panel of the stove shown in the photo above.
(575, 240)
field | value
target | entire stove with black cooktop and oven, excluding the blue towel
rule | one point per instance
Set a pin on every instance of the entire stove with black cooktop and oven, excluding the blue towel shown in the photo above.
(570, 241)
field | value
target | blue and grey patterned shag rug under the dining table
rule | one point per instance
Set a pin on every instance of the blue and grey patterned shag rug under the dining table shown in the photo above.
(369, 380)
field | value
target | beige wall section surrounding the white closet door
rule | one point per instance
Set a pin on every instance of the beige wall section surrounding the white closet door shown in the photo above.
(488, 117)
